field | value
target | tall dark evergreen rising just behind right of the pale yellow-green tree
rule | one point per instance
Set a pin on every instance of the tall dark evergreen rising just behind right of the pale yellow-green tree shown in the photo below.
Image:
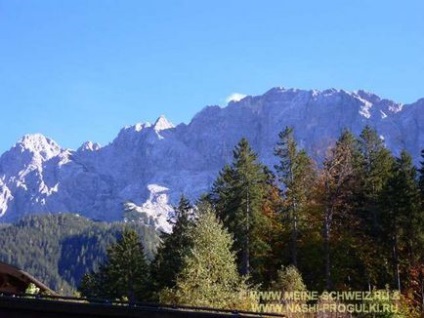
(239, 195)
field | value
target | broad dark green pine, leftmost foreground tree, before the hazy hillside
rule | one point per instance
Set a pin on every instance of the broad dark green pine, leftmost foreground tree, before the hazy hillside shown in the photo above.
(125, 273)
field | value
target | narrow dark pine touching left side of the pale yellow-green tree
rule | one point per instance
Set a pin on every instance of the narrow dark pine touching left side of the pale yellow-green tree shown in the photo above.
(169, 258)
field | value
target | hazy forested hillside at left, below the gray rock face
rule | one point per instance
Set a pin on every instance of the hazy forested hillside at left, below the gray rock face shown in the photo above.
(59, 249)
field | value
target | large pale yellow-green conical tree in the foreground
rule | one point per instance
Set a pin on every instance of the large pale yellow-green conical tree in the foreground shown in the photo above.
(209, 276)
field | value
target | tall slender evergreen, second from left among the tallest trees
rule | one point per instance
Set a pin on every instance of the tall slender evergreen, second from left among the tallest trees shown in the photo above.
(296, 173)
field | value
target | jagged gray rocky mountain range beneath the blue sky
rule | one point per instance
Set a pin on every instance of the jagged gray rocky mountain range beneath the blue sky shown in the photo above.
(152, 165)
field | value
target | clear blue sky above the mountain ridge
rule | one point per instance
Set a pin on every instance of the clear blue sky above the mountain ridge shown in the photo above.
(79, 70)
